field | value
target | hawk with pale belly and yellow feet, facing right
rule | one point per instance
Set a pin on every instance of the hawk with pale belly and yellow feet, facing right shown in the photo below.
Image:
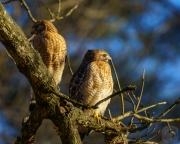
(92, 82)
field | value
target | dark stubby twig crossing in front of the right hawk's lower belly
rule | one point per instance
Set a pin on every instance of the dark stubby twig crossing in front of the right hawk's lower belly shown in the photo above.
(129, 88)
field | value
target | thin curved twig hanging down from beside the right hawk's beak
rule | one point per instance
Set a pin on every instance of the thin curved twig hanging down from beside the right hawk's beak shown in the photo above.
(118, 82)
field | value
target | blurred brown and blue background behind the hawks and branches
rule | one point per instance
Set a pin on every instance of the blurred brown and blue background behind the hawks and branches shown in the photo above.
(141, 34)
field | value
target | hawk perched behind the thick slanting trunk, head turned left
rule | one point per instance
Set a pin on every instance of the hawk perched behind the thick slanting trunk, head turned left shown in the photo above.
(52, 48)
